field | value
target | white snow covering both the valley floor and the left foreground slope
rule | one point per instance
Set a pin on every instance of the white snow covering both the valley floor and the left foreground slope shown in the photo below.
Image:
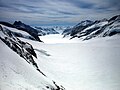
(88, 65)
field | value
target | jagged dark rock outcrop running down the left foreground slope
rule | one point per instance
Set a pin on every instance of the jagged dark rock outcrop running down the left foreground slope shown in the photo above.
(24, 49)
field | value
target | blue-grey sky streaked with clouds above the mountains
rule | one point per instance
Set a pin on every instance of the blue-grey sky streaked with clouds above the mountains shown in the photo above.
(57, 12)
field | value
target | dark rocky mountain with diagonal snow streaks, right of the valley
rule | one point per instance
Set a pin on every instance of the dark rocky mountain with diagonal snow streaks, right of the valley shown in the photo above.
(99, 28)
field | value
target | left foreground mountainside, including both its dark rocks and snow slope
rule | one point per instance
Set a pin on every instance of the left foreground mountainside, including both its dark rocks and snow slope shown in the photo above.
(24, 76)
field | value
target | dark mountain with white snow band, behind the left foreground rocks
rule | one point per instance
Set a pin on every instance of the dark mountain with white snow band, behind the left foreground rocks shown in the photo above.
(20, 29)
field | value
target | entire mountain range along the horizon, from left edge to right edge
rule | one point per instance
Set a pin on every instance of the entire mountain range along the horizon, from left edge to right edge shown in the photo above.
(84, 30)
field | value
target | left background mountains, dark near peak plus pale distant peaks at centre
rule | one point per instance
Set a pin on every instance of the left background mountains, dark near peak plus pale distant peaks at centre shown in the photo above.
(21, 29)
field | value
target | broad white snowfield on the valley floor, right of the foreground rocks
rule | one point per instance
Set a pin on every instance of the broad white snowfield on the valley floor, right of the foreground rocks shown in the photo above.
(88, 65)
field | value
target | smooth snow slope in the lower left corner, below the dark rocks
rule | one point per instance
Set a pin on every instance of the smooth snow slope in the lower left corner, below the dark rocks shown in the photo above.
(17, 74)
